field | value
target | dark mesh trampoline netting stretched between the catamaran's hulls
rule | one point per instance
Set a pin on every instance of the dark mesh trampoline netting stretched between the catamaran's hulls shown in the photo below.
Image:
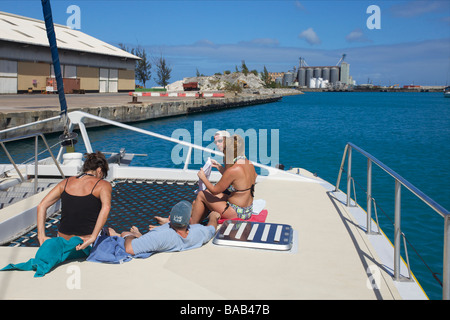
(133, 203)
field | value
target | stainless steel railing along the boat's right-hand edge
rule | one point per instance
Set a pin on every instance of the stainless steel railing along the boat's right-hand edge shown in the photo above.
(399, 182)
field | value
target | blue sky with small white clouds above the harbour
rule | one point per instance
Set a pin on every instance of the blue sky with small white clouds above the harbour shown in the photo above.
(411, 47)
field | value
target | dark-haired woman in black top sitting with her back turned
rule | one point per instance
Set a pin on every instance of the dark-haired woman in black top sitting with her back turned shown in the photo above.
(85, 202)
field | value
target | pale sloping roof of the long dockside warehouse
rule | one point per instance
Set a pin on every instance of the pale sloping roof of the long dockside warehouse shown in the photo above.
(21, 29)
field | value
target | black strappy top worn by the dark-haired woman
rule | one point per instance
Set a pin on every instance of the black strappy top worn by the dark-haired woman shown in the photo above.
(79, 213)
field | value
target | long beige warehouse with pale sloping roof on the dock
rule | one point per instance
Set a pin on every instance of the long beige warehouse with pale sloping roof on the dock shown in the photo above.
(87, 64)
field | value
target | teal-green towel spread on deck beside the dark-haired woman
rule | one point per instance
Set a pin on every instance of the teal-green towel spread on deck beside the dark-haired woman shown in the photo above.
(52, 252)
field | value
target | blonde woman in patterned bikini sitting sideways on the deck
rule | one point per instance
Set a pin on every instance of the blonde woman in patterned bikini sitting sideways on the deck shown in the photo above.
(238, 178)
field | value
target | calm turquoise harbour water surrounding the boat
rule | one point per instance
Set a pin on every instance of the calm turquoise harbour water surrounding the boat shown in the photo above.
(409, 132)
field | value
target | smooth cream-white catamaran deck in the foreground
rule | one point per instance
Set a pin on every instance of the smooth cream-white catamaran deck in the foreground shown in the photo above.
(329, 260)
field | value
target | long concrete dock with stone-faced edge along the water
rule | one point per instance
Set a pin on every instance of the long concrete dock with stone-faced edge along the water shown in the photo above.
(16, 110)
